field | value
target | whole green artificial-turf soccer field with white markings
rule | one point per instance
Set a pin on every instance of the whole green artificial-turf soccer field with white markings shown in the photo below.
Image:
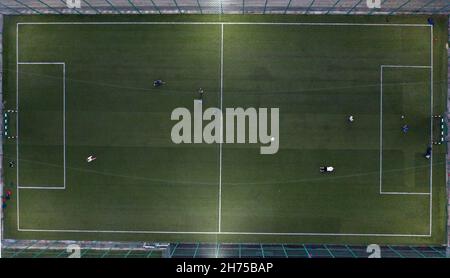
(83, 85)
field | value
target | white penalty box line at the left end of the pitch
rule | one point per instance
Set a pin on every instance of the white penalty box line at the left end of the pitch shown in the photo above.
(64, 129)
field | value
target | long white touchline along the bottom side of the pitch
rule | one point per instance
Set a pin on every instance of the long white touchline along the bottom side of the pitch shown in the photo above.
(224, 233)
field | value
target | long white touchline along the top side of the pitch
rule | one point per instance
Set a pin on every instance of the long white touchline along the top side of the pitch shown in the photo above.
(222, 23)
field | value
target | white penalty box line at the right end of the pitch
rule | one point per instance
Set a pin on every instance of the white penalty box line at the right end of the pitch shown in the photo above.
(381, 131)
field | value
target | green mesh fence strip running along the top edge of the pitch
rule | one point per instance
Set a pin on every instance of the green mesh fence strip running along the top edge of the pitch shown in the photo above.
(225, 6)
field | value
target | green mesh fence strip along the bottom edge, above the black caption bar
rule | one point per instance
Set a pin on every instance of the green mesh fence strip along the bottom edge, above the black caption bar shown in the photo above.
(93, 249)
